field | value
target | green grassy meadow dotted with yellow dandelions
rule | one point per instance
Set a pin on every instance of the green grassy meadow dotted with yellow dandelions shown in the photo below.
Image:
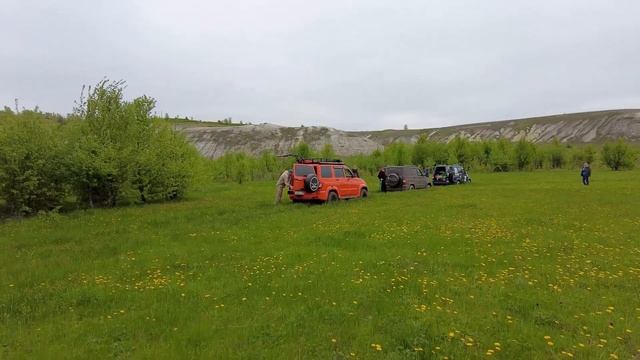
(518, 265)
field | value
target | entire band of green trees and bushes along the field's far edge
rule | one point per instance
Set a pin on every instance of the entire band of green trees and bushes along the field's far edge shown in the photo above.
(111, 151)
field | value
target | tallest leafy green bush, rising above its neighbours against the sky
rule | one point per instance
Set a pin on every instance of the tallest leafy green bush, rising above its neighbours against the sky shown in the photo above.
(122, 154)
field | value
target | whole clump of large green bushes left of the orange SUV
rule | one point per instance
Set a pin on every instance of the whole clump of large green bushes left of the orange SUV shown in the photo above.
(109, 151)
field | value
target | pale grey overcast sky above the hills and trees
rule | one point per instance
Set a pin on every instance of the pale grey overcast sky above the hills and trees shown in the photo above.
(352, 65)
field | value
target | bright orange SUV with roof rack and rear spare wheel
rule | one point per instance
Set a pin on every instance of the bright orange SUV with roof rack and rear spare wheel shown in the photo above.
(321, 180)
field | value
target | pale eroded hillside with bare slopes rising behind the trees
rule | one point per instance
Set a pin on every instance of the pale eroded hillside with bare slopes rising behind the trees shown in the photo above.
(588, 127)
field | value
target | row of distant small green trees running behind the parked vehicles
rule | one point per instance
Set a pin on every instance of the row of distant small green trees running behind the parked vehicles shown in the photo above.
(487, 156)
